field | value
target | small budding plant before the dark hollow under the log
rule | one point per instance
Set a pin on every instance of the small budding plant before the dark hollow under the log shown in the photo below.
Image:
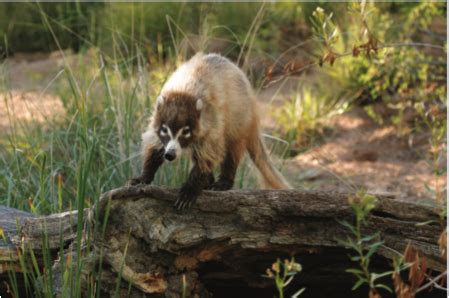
(283, 273)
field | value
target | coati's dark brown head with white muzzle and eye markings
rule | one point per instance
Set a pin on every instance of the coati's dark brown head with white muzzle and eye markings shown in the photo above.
(177, 122)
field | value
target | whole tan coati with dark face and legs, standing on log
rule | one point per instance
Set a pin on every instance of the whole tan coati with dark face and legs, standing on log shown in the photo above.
(207, 108)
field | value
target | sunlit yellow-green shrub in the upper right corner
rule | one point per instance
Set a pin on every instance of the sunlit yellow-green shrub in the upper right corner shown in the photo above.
(408, 68)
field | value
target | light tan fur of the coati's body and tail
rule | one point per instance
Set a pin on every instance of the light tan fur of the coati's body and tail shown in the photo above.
(229, 122)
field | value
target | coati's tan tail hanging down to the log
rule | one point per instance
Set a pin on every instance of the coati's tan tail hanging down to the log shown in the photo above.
(271, 176)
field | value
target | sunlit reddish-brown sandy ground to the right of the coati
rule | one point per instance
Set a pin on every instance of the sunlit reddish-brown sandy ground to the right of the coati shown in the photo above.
(362, 154)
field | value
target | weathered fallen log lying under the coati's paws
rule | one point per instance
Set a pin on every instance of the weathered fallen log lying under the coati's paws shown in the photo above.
(224, 243)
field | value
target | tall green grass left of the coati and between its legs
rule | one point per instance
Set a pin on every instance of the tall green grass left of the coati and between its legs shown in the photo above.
(66, 161)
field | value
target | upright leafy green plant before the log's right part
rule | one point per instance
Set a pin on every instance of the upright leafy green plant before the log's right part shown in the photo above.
(364, 246)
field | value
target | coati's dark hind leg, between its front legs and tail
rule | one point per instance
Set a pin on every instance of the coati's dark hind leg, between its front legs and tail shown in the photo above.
(234, 153)
